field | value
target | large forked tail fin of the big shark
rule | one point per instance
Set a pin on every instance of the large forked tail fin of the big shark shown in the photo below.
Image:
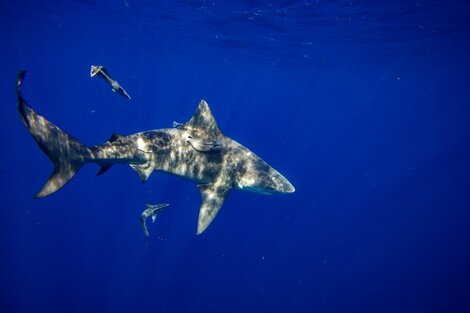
(66, 152)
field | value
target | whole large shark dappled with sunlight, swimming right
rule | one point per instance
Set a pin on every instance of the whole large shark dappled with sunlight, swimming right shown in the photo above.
(196, 150)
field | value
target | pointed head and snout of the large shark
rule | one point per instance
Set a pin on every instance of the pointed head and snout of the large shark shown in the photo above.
(262, 178)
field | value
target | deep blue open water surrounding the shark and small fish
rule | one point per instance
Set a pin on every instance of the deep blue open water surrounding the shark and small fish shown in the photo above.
(363, 105)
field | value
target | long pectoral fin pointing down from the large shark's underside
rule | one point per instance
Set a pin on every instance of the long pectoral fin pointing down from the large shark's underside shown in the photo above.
(213, 197)
